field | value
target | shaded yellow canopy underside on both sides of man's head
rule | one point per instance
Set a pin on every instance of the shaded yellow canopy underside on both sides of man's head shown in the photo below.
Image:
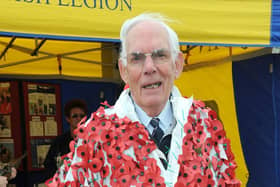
(90, 60)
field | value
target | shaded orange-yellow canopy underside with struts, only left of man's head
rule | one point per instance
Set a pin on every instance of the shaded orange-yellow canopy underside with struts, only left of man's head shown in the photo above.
(54, 59)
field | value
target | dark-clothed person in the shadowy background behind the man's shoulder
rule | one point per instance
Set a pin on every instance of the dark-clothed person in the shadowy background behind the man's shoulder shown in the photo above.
(74, 111)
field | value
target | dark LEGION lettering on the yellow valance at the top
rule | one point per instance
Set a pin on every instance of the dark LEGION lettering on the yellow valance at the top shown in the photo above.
(92, 4)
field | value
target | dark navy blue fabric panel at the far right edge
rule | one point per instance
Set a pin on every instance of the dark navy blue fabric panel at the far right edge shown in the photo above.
(256, 84)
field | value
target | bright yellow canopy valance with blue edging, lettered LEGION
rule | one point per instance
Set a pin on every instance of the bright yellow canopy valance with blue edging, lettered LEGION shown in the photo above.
(250, 23)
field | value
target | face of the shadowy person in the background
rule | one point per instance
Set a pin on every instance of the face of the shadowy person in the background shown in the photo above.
(76, 115)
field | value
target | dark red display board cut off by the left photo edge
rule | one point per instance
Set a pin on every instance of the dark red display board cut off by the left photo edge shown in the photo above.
(10, 127)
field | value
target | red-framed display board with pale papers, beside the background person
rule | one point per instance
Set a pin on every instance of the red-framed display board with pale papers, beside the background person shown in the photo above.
(42, 120)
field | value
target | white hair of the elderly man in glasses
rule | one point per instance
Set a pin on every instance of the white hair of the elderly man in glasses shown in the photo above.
(156, 17)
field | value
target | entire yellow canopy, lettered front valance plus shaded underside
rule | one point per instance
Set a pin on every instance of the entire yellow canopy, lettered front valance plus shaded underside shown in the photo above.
(55, 27)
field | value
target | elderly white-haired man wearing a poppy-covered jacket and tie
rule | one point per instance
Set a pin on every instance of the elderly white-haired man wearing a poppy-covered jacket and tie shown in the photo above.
(152, 136)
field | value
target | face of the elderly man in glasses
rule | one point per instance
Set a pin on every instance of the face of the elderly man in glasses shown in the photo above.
(150, 76)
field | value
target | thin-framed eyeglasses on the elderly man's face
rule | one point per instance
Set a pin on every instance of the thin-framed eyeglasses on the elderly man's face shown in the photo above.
(159, 56)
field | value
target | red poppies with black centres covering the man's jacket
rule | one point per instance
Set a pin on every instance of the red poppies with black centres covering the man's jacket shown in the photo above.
(100, 151)
